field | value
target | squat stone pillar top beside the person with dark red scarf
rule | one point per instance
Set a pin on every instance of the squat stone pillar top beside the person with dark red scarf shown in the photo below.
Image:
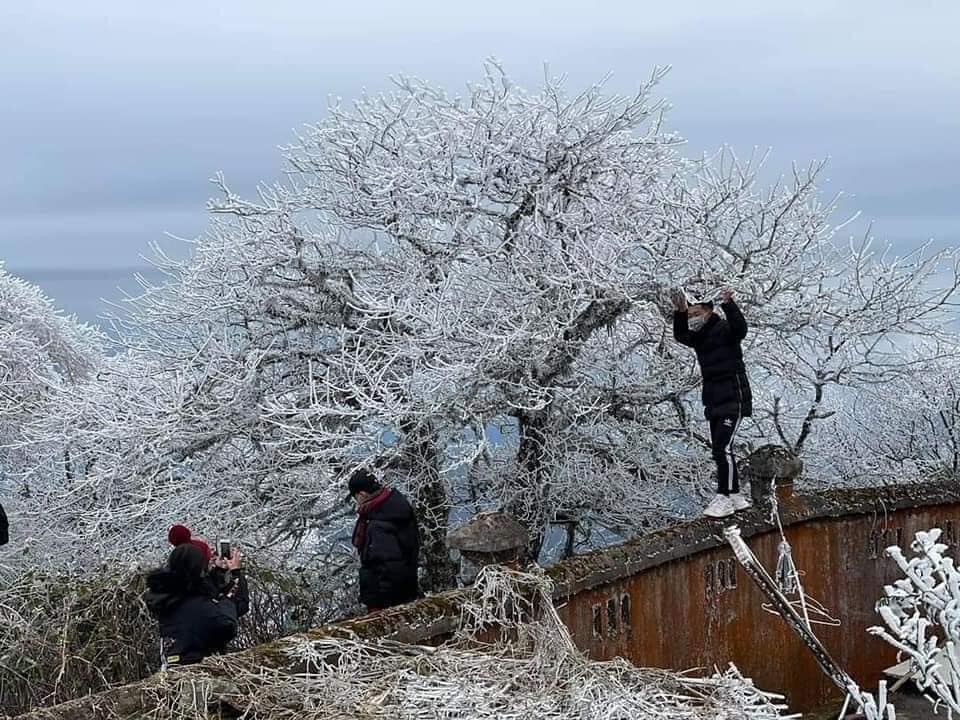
(489, 538)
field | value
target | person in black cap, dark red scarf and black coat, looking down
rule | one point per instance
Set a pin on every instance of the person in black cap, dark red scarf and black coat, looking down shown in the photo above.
(388, 540)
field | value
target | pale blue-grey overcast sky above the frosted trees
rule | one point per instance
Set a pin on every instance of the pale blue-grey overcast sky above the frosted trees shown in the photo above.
(116, 113)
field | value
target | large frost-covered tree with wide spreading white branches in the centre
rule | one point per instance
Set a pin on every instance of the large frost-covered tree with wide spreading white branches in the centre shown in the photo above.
(471, 294)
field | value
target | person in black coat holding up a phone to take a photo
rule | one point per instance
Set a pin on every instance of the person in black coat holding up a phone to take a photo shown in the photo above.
(198, 611)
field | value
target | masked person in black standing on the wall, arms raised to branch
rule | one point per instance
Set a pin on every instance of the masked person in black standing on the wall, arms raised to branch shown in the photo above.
(726, 390)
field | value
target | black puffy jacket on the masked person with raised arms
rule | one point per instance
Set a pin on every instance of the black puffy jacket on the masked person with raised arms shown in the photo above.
(726, 389)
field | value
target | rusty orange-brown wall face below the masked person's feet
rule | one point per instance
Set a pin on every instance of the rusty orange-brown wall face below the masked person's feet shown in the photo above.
(702, 610)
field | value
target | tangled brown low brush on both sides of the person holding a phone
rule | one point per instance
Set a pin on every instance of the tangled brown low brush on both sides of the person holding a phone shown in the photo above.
(66, 635)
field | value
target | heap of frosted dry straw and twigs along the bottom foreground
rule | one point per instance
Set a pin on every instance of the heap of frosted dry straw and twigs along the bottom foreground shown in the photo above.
(511, 659)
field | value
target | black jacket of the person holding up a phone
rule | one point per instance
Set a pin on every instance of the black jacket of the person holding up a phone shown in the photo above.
(196, 624)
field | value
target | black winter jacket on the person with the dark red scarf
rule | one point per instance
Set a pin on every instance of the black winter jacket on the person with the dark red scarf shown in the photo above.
(390, 554)
